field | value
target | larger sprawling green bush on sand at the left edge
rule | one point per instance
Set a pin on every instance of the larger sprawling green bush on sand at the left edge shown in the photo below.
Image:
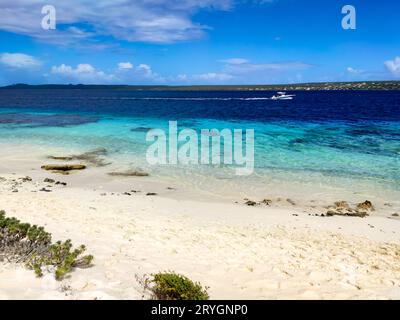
(23, 243)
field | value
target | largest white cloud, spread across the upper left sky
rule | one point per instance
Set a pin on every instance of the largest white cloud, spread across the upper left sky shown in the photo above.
(156, 21)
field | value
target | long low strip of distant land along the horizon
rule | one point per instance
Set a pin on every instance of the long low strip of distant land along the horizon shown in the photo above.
(365, 85)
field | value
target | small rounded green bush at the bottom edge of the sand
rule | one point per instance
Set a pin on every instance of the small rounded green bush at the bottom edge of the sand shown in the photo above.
(172, 286)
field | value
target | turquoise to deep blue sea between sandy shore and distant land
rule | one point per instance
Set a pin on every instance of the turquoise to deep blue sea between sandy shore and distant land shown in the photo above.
(330, 134)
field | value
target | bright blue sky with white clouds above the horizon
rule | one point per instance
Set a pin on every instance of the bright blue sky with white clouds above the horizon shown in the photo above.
(198, 42)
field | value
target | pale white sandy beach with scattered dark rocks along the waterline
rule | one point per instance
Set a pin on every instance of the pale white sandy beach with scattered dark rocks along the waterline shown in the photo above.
(281, 251)
